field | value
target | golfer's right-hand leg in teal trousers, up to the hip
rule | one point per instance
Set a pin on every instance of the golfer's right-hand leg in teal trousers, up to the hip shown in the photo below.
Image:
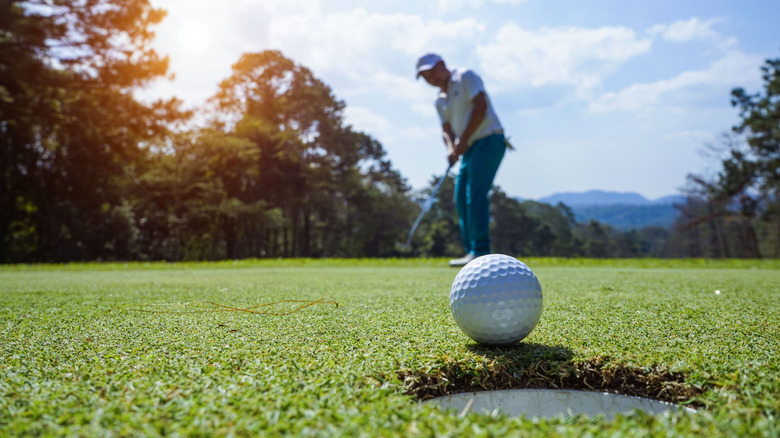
(485, 159)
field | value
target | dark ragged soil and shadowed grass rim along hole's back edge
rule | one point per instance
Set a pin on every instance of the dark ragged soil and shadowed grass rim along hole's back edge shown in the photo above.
(539, 366)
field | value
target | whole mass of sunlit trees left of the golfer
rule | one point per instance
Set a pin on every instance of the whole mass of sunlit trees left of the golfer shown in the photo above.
(277, 174)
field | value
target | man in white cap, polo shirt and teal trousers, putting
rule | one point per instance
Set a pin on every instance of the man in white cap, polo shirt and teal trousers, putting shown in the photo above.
(473, 133)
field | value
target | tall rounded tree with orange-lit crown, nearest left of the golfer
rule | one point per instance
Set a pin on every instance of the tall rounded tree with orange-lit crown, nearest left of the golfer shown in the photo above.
(337, 192)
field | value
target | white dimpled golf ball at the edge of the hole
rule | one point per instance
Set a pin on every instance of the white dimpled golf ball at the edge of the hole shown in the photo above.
(496, 300)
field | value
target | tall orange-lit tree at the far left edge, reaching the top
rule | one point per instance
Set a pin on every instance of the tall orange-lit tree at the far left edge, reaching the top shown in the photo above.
(71, 130)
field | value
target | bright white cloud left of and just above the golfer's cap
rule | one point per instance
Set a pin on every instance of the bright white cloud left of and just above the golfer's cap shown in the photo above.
(360, 53)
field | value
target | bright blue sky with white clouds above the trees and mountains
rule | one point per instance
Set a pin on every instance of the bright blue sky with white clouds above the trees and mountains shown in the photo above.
(610, 95)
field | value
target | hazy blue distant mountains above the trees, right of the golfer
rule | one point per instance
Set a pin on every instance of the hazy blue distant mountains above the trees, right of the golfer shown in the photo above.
(623, 211)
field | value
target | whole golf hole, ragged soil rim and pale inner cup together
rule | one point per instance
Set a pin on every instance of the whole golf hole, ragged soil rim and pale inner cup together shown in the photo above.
(550, 387)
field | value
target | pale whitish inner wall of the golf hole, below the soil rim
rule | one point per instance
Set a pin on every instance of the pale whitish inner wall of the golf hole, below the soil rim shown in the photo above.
(546, 403)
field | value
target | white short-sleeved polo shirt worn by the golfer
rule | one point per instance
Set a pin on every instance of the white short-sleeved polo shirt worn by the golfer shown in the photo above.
(455, 105)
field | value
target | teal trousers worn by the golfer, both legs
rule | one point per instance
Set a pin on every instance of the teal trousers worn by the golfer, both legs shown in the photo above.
(478, 168)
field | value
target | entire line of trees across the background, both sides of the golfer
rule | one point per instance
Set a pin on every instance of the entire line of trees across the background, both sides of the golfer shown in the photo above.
(89, 172)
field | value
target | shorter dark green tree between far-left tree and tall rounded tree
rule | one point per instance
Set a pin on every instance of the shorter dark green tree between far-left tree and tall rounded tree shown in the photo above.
(198, 201)
